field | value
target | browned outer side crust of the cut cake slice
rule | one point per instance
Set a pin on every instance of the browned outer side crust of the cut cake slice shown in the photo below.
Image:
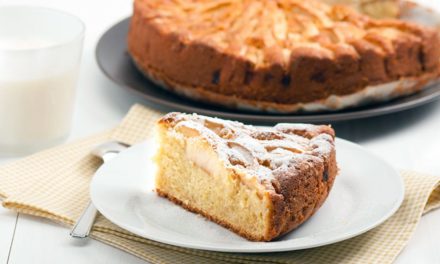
(304, 187)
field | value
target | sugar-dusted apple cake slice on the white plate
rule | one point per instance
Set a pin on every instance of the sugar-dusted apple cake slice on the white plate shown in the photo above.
(259, 182)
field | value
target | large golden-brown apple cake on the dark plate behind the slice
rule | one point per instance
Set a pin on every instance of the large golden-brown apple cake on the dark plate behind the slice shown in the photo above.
(282, 56)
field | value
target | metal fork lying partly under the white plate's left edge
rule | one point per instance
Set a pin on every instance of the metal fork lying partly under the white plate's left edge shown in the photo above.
(106, 152)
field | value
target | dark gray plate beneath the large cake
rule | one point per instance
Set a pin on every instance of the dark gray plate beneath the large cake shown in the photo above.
(115, 62)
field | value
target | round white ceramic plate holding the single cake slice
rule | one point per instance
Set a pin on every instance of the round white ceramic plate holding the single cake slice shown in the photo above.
(366, 192)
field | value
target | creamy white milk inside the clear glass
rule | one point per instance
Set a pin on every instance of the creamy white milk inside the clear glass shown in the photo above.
(37, 112)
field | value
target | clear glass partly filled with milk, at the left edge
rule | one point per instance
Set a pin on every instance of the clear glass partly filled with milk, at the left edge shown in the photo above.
(40, 51)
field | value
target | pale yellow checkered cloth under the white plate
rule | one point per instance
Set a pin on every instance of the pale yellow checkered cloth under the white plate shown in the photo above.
(54, 184)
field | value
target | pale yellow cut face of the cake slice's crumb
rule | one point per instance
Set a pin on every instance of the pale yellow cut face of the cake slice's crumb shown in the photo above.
(191, 174)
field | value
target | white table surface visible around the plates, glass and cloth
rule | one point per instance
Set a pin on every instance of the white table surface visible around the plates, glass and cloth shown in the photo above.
(406, 140)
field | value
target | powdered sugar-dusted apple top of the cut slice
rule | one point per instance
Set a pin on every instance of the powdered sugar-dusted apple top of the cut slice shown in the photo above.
(257, 151)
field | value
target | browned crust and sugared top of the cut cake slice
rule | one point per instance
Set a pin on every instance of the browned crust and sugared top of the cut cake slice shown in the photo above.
(292, 166)
